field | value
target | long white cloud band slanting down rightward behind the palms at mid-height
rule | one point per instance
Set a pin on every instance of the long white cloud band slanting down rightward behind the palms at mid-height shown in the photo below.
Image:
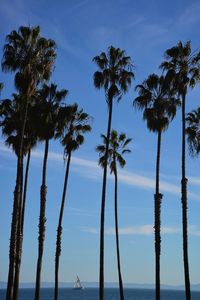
(90, 169)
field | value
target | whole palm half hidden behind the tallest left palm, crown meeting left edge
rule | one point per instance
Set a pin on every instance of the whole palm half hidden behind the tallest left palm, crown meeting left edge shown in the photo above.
(11, 123)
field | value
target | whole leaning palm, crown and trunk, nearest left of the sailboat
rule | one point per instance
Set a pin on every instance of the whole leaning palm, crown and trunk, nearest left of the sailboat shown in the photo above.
(74, 123)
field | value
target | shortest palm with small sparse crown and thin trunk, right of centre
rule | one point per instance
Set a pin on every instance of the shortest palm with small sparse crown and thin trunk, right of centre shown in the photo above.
(118, 146)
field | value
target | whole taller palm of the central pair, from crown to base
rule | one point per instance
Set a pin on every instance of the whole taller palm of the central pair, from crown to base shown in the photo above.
(115, 77)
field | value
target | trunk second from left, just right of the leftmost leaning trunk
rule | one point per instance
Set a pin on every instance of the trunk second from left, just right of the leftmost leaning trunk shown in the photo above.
(20, 231)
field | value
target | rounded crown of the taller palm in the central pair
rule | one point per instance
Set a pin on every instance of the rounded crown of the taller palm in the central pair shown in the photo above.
(115, 73)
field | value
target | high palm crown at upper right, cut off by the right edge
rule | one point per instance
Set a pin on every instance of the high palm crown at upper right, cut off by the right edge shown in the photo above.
(183, 65)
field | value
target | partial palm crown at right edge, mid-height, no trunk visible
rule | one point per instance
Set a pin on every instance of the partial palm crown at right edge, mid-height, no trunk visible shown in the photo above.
(193, 131)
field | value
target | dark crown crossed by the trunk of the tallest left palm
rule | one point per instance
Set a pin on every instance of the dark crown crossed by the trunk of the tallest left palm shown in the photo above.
(11, 114)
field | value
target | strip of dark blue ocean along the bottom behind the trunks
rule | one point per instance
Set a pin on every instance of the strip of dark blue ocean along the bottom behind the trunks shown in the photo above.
(110, 294)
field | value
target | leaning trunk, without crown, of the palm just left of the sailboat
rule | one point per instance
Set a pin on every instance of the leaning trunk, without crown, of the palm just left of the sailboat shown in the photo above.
(59, 229)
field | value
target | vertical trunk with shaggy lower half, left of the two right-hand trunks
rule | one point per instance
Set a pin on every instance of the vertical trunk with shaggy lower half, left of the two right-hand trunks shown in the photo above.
(157, 224)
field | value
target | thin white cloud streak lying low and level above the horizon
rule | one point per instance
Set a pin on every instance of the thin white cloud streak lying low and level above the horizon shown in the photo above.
(145, 230)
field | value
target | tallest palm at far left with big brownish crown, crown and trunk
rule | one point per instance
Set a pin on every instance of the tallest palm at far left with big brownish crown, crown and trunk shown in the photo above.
(31, 57)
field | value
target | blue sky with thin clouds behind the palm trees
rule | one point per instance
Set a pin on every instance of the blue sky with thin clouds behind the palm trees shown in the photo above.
(82, 29)
